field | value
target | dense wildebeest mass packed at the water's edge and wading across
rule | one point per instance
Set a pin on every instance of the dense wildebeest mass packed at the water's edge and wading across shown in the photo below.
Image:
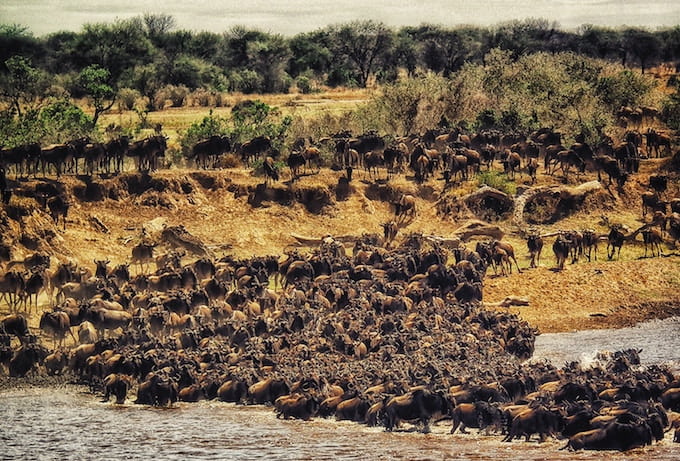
(381, 337)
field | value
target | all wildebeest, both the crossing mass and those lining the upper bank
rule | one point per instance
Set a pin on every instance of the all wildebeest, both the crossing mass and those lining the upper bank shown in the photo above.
(384, 336)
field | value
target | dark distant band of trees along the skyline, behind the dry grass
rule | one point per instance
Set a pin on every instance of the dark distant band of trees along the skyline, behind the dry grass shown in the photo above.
(147, 53)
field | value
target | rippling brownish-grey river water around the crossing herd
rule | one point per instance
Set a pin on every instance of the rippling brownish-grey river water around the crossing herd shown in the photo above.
(68, 423)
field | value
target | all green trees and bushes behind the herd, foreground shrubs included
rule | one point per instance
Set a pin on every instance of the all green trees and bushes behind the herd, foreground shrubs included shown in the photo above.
(516, 76)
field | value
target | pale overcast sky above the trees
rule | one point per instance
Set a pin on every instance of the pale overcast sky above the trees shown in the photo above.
(294, 16)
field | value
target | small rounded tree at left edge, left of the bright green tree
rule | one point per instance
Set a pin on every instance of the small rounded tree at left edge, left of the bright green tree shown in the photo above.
(22, 85)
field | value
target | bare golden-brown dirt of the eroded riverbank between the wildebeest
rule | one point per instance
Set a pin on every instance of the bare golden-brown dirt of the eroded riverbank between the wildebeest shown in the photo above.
(214, 206)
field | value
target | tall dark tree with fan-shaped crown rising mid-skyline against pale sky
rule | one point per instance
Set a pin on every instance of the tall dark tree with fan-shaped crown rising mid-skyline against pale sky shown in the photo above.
(365, 44)
